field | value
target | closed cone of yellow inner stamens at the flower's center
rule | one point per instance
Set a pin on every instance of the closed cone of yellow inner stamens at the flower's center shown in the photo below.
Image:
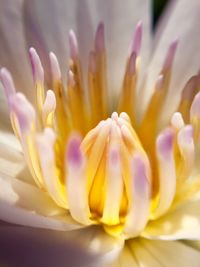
(110, 149)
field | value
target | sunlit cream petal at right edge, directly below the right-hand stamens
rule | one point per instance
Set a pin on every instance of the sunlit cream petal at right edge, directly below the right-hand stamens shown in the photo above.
(183, 222)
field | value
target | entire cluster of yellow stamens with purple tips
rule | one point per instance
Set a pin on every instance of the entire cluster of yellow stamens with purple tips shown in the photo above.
(100, 162)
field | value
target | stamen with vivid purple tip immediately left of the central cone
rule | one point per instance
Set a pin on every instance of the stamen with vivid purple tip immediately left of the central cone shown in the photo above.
(76, 182)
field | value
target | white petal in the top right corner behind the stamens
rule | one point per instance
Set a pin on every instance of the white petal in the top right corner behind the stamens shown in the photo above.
(182, 23)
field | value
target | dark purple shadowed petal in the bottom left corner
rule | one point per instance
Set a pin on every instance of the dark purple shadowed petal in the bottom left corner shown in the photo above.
(24, 246)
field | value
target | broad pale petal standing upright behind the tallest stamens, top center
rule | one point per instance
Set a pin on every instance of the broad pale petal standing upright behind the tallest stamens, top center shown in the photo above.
(48, 23)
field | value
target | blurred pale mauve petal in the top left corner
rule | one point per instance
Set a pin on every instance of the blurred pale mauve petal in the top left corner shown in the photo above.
(13, 50)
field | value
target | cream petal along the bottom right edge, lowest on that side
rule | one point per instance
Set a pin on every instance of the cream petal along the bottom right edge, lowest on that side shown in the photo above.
(153, 253)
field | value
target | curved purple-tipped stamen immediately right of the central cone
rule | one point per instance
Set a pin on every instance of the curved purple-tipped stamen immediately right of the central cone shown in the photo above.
(167, 171)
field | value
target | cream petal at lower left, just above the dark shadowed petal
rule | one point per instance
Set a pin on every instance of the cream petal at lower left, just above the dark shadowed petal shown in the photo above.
(25, 204)
